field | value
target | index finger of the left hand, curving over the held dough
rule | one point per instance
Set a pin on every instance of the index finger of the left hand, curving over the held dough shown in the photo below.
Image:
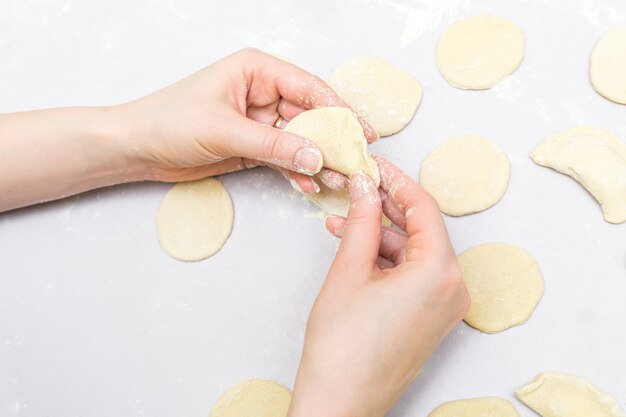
(299, 87)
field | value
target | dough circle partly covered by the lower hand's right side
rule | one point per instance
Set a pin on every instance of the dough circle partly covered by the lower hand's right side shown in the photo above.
(504, 283)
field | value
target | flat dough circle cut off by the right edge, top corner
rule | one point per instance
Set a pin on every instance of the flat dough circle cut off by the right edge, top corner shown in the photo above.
(608, 65)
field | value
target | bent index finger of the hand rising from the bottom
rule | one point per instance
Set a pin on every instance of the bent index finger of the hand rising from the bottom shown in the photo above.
(424, 222)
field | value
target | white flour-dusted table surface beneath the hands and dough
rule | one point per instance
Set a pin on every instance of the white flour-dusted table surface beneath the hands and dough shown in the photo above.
(95, 319)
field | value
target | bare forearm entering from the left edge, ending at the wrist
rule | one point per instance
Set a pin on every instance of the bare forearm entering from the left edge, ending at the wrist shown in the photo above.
(49, 154)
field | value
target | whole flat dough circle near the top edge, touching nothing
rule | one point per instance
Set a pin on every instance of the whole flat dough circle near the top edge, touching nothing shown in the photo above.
(478, 52)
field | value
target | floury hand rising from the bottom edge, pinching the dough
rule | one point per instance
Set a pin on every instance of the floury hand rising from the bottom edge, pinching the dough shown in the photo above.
(388, 301)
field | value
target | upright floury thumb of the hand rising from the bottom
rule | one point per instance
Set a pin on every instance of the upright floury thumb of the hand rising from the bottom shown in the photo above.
(361, 237)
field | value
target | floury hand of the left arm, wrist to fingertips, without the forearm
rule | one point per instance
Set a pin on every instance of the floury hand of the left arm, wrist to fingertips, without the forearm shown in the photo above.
(227, 116)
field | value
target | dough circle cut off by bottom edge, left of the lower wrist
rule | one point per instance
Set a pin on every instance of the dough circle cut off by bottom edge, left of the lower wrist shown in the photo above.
(253, 398)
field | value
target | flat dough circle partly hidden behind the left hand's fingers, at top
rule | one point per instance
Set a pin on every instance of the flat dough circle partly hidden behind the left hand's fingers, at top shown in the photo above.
(384, 94)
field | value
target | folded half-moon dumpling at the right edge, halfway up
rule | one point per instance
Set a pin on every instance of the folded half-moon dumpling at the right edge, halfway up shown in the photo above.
(594, 157)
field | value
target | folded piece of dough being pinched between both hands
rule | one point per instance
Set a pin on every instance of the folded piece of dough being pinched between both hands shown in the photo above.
(339, 135)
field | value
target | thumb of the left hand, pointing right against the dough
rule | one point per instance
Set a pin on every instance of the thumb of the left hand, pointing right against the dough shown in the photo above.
(265, 143)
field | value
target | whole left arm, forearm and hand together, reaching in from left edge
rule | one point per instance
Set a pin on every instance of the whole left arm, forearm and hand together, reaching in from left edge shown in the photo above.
(221, 119)
